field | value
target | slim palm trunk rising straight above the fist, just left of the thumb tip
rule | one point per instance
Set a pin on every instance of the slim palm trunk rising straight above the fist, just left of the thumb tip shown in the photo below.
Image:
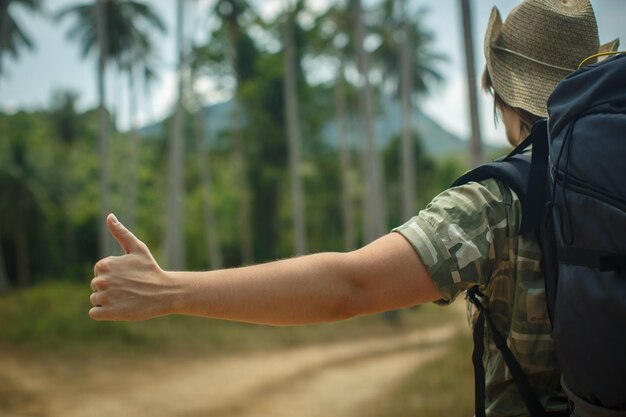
(103, 130)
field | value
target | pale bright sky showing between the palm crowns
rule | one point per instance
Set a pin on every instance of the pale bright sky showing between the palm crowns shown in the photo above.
(55, 64)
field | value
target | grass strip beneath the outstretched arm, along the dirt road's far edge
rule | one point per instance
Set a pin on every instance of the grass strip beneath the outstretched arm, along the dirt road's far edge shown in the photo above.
(54, 317)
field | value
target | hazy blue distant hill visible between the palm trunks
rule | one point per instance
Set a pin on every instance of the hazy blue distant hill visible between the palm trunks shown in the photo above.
(436, 139)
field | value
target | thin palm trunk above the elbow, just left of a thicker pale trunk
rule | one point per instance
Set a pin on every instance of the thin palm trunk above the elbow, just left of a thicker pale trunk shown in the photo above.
(344, 160)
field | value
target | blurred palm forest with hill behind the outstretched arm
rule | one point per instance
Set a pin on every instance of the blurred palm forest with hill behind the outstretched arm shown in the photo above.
(285, 165)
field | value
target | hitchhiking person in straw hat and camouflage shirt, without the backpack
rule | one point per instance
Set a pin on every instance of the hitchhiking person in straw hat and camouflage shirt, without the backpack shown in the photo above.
(468, 235)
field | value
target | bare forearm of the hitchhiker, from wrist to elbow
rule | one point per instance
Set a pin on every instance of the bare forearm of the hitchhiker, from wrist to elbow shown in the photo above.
(310, 289)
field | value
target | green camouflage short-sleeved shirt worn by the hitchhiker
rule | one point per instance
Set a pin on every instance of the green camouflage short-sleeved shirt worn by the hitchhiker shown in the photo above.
(468, 235)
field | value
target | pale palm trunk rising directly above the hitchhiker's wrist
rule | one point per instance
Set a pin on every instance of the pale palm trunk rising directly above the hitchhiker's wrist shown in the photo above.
(174, 244)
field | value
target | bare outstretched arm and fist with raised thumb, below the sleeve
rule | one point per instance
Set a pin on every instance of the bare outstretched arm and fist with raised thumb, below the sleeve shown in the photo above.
(386, 274)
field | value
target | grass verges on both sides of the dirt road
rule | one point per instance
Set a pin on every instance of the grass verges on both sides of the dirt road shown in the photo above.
(49, 323)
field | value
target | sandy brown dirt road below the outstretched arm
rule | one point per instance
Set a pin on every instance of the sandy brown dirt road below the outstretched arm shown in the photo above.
(337, 379)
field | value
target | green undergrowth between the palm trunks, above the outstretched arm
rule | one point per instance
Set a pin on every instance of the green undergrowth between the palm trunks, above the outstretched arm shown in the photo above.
(50, 194)
